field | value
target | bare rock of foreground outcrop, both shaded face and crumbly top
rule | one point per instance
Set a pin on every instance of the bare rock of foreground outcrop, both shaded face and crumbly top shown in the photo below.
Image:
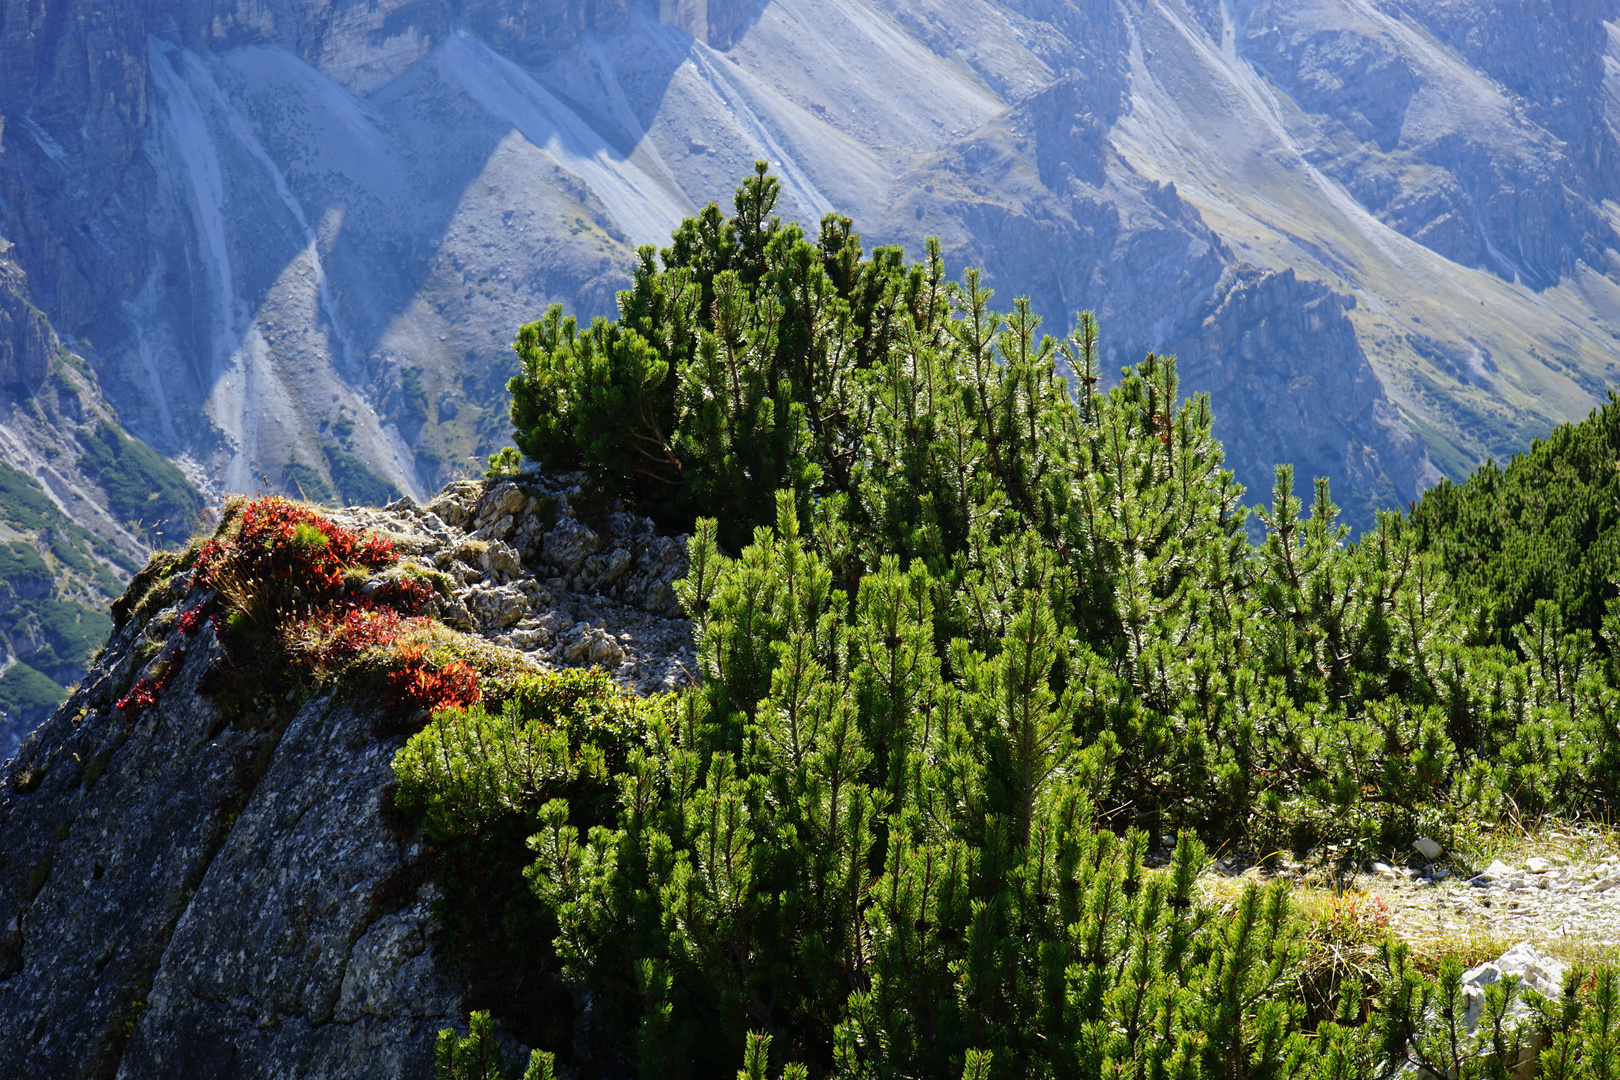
(195, 893)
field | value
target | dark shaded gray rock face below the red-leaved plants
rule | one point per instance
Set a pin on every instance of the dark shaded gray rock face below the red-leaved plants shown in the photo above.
(173, 912)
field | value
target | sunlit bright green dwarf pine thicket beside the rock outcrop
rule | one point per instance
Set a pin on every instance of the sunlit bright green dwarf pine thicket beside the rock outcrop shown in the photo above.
(971, 642)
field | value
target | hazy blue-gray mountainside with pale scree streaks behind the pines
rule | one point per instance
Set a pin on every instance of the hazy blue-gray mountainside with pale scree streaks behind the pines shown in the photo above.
(294, 237)
